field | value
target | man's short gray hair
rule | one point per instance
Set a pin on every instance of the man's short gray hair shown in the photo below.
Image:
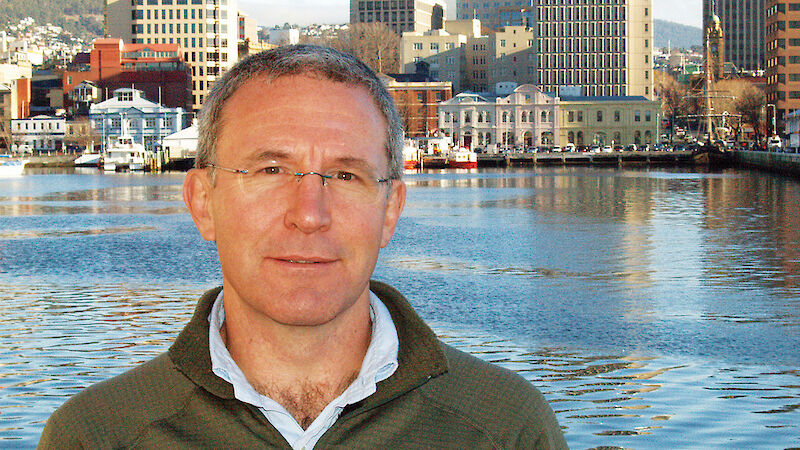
(324, 62)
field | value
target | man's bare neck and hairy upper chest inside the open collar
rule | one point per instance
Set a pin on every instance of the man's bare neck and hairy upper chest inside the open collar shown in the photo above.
(301, 367)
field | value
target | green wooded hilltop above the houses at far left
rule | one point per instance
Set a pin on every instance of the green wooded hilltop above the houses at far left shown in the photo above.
(83, 18)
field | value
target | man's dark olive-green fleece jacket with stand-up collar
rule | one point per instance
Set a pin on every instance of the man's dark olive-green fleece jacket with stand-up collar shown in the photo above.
(439, 397)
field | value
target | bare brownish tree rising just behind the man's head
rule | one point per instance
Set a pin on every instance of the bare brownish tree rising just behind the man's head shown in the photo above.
(374, 43)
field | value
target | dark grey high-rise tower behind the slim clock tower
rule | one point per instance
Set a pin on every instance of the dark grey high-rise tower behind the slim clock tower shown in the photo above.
(743, 23)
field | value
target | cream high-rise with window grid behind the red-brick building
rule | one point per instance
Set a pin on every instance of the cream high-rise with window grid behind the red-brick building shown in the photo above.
(206, 30)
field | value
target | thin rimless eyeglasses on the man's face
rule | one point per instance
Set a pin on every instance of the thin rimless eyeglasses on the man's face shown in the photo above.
(344, 185)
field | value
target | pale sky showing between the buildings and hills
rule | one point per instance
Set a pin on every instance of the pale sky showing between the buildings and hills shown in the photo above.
(305, 12)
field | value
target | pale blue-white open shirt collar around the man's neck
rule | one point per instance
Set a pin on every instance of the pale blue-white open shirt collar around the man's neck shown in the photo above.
(380, 362)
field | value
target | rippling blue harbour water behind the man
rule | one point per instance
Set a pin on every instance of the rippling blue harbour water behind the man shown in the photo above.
(654, 308)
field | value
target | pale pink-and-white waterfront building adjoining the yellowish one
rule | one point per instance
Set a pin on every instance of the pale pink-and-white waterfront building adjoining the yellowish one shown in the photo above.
(526, 117)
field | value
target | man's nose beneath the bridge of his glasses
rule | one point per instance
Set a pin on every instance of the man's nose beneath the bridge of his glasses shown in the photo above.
(309, 208)
